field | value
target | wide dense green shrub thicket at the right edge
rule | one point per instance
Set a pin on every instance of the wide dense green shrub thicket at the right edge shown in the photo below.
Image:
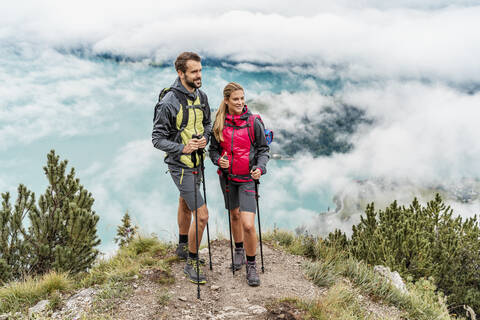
(423, 241)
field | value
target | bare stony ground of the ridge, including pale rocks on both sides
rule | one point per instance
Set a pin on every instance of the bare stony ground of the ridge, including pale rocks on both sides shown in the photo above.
(154, 295)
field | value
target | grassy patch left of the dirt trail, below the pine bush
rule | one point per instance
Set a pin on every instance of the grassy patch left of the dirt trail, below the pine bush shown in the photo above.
(110, 277)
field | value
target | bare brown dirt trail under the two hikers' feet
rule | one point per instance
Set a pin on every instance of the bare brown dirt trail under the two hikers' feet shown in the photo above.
(224, 296)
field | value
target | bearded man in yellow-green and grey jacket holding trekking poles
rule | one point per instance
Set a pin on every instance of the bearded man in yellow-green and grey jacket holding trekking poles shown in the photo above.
(181, 128)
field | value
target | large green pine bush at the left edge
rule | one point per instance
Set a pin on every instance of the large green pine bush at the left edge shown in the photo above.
(62, 232)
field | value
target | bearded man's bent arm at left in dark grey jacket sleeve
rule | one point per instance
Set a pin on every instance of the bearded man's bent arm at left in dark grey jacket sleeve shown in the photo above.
(164, 128)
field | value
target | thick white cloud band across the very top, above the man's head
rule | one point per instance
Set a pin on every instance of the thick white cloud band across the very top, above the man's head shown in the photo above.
(402, 39)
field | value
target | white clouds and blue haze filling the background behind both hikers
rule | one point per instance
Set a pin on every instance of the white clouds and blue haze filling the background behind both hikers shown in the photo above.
(411, 66)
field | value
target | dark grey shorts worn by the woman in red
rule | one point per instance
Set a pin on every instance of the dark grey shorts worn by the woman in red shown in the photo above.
(241, 194)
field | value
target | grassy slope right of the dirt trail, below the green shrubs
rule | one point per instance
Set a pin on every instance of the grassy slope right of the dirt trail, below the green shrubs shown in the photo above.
(330, 268)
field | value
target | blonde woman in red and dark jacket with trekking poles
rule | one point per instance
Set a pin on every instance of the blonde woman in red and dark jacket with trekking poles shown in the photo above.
(238, 146)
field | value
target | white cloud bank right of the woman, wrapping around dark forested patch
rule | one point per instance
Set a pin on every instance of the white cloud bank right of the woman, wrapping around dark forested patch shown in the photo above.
(420, 132)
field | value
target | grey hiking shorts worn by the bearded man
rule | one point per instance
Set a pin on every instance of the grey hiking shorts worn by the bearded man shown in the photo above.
(183, 179)
